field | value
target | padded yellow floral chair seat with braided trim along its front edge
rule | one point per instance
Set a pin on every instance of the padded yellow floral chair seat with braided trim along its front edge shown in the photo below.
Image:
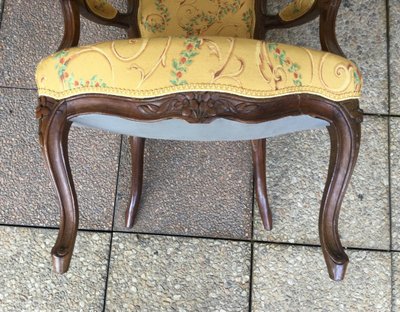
(157, 66)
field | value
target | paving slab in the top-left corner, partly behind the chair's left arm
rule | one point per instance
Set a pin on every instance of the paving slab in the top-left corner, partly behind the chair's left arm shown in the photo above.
(27, 35)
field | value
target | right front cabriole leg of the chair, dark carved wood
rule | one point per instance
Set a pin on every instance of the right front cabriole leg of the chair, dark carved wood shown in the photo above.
(345, 133)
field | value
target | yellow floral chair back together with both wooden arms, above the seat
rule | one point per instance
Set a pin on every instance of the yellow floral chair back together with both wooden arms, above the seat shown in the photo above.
(233, 18)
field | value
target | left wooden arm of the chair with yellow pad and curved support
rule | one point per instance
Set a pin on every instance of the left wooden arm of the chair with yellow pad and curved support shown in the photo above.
(98, 11)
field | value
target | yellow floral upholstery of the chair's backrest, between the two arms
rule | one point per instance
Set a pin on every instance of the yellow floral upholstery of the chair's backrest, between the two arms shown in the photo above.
(161, 18)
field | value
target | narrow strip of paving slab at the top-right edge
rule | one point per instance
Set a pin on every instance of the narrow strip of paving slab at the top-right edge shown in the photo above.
(394, 50)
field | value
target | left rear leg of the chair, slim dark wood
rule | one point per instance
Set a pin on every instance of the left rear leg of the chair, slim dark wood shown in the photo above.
(137, 151)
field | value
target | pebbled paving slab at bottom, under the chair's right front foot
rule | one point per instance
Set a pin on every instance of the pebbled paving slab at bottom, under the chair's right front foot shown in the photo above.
(294, 278)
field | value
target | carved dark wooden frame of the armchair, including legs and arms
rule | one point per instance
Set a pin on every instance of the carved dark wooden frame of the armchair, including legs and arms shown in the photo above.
(344, 120)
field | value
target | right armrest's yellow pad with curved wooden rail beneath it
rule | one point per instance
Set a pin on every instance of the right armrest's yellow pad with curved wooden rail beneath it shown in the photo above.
(295, 13)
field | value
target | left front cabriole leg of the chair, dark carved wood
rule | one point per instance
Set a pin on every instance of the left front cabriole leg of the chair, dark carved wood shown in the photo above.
(54, 129)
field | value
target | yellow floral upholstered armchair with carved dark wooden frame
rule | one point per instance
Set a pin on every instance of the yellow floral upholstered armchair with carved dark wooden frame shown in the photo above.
(200, 70)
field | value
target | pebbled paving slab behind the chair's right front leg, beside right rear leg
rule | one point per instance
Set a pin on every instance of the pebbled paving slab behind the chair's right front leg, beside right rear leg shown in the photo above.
(297, 165)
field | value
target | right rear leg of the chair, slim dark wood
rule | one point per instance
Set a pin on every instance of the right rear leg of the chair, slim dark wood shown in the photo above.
(258, 147)
